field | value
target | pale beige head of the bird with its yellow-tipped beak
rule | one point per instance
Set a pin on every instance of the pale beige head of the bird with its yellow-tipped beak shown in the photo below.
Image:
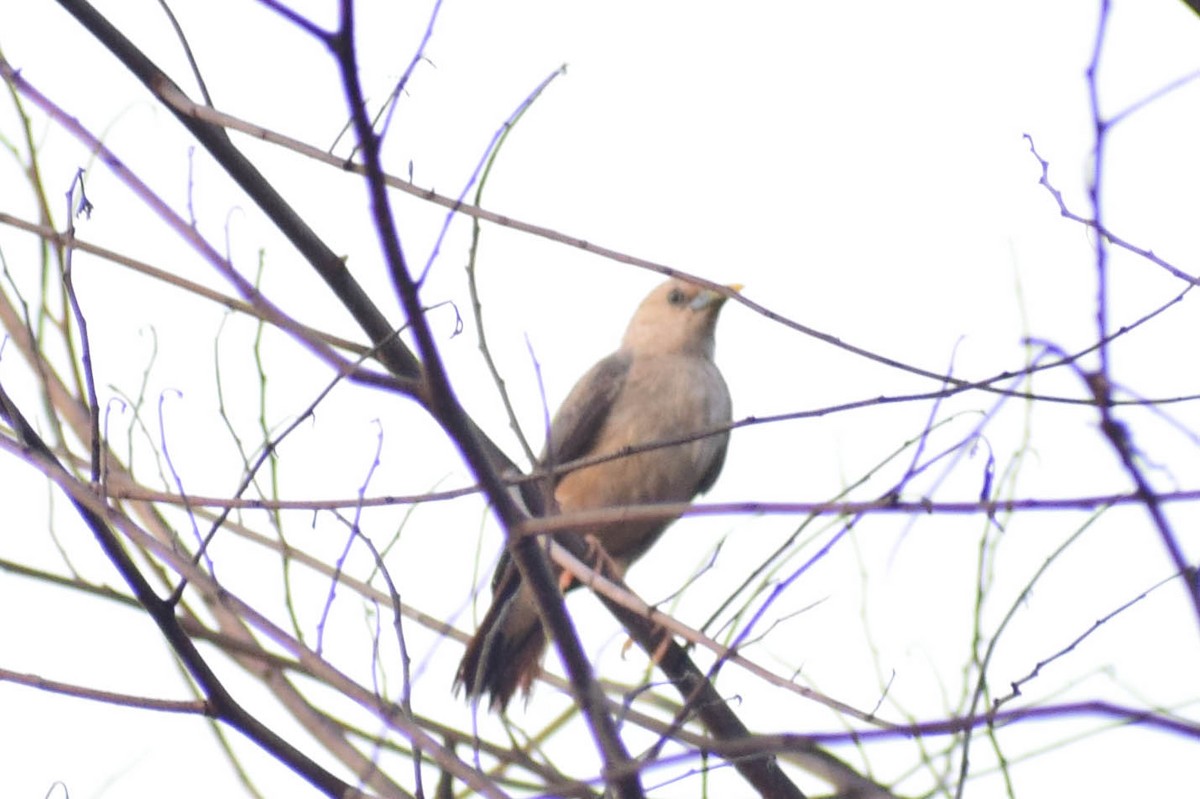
(676, 319)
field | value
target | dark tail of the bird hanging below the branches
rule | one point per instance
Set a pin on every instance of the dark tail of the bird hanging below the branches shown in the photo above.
(506, 653)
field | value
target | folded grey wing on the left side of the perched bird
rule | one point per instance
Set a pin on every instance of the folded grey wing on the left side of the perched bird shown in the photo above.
(584, 413)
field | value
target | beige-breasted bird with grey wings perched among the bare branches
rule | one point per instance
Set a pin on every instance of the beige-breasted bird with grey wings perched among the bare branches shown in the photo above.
(661, 386)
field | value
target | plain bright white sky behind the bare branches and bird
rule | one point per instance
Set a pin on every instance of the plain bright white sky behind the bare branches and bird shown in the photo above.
(860, 167)
